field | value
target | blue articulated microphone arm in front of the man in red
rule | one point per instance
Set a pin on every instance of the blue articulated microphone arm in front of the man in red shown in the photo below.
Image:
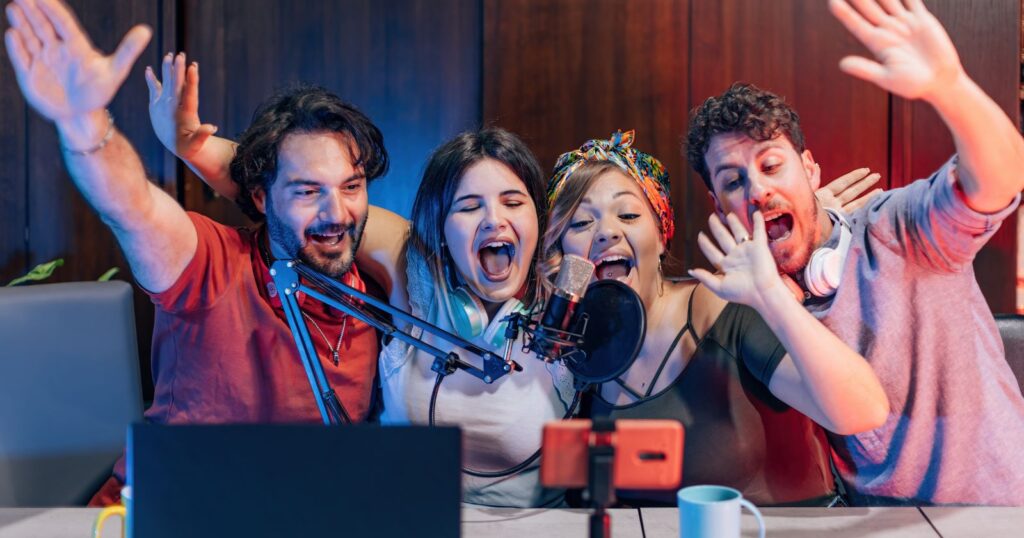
(287, 275)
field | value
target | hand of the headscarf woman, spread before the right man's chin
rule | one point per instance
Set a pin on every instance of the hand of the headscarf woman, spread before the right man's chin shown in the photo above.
(748, 269)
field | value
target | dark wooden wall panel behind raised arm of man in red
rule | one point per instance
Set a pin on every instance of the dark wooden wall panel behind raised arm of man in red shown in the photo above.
(60, 223)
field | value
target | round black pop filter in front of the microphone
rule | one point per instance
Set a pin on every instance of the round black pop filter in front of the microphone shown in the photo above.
(617, 323)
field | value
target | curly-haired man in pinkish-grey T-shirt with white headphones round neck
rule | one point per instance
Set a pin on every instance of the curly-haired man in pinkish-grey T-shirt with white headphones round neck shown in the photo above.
(894, 280)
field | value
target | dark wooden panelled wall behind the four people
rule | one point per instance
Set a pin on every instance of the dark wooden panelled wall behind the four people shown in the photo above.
(557, 72)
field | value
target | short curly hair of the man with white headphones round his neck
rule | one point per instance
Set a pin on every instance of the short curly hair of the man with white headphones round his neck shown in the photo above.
(745, 109)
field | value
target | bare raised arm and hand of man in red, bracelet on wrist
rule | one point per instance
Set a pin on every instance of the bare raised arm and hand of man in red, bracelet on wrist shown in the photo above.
(71, 84)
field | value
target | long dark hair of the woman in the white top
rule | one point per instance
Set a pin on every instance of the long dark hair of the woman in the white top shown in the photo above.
(441, 181)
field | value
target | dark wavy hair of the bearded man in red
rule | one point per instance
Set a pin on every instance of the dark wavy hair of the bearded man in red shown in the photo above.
(301, 109)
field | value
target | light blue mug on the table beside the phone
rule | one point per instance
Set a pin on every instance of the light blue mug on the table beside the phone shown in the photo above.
(713, 512)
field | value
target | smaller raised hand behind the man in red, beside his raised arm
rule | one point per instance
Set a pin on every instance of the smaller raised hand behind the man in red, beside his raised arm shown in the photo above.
(175, 107)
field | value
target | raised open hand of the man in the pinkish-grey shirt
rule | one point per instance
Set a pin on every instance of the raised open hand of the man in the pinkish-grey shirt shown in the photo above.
(914, 57)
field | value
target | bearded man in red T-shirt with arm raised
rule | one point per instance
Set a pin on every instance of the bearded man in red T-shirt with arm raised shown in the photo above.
(223, 351)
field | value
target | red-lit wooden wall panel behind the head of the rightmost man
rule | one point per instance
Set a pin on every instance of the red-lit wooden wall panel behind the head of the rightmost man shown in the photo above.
(792, 49)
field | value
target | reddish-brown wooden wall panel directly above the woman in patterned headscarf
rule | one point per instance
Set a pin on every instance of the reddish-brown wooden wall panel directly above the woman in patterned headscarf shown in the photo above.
(560, 73)
